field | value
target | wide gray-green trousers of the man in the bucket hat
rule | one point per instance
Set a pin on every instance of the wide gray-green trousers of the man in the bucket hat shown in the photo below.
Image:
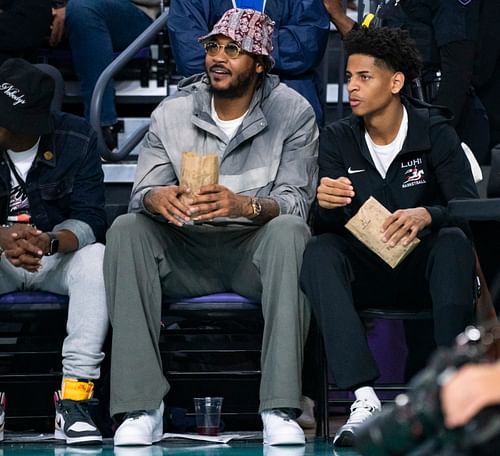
(145, 260)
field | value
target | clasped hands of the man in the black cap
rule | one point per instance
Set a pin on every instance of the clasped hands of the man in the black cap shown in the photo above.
(27, 248)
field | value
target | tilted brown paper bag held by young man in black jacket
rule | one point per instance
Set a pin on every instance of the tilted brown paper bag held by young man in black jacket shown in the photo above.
(366, 224)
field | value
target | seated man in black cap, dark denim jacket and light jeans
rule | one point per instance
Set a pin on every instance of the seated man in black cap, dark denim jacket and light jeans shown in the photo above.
(52, 216)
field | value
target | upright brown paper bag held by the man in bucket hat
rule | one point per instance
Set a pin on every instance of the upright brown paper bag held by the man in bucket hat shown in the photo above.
(198, 170)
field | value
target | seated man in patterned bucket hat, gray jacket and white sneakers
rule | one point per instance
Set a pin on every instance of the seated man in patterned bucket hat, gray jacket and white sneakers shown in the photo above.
(245, 234)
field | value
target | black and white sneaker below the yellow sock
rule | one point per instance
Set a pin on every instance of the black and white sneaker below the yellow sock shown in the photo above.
(73, 422)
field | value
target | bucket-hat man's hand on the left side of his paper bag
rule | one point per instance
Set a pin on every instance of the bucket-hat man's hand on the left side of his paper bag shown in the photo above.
(166, 202)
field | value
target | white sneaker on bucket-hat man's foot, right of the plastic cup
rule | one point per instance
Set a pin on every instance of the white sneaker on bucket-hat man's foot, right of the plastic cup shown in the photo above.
(280, 429)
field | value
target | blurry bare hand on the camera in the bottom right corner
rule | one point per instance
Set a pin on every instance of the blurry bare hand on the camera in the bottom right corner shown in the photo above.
(472, 388)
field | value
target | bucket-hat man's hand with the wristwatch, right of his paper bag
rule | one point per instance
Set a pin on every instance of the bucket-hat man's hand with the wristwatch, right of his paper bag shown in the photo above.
(215, 200)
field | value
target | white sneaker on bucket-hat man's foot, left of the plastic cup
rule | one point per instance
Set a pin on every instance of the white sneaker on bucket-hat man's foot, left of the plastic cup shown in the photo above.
(143, 427)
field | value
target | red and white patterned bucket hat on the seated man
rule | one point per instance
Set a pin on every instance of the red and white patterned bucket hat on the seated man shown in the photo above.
(249, 29)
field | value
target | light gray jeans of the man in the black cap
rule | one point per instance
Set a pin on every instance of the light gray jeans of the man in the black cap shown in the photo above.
(79, 275)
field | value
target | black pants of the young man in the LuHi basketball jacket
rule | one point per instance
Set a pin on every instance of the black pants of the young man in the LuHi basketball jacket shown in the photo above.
(340, 275)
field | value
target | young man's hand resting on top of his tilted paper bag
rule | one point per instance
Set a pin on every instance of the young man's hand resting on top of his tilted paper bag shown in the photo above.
(404, 225)
